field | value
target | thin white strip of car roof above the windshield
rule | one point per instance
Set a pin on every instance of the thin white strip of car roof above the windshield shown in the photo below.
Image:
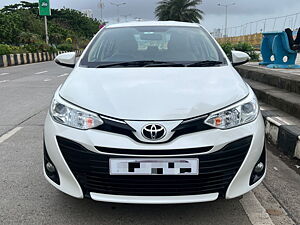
(153, 23)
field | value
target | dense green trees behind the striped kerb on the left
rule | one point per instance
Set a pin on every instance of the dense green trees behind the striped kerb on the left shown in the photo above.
(22, 28)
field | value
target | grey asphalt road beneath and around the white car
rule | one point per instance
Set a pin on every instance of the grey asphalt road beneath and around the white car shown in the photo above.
(27, 198)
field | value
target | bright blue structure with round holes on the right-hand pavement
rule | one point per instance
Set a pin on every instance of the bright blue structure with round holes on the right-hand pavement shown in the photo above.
(276, 51)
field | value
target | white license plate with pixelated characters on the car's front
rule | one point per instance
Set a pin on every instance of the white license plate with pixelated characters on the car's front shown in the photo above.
(150, 166)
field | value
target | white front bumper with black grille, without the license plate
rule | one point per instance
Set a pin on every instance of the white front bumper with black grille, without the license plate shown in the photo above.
(85, 172)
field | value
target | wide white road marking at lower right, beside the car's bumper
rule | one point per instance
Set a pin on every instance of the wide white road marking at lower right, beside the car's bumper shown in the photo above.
(254, 210)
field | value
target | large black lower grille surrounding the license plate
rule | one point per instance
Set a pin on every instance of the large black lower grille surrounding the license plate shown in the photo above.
(216, 171)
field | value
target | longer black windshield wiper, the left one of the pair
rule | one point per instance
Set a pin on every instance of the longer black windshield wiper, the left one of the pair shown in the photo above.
(143, 63)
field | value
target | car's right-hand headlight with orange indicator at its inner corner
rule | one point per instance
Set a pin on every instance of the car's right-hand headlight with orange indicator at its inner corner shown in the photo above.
(241, 113)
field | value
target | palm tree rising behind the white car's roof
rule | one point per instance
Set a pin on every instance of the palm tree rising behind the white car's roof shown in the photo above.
(179, 10)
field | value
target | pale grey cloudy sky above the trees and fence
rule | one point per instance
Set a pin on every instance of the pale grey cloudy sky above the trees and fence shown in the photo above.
(244, 11)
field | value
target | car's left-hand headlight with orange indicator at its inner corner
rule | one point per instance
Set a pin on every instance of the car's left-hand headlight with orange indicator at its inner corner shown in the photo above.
(67, 114)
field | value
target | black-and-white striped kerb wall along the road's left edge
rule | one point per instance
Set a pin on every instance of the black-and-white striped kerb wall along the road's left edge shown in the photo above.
(28, 58)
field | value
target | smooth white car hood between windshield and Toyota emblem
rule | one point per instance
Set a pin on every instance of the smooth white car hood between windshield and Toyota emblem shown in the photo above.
(154, 93)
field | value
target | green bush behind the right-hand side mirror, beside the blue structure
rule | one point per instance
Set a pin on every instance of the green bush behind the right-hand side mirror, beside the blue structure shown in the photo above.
(241, 46)
